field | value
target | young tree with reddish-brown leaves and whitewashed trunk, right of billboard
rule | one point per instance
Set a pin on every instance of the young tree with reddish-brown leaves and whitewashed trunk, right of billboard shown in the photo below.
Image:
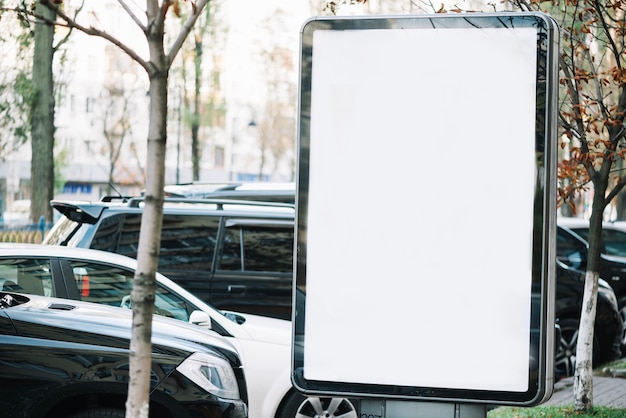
(591, 116)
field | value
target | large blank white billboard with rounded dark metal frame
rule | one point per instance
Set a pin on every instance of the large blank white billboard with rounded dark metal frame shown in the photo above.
(335, 154)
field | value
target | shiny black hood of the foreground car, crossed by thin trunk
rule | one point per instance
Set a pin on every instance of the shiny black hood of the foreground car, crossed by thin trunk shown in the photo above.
(89, 323)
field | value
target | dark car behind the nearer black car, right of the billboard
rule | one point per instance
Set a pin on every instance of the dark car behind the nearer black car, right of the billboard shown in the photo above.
(612, 257)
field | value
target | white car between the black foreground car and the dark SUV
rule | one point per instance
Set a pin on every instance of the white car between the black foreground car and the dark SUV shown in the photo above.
(264, 344)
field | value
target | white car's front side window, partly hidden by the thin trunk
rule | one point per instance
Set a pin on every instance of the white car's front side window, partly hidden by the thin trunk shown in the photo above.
(112, 285)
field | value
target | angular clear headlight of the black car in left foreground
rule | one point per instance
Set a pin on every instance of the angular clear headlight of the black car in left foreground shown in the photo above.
(212, 373)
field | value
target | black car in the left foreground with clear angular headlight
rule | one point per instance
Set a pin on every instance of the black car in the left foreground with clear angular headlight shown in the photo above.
(62, 358)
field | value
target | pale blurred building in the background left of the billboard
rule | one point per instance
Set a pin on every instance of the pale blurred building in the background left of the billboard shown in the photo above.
(249, 86)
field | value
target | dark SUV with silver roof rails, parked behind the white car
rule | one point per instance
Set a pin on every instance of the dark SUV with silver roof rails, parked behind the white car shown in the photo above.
(234, 254)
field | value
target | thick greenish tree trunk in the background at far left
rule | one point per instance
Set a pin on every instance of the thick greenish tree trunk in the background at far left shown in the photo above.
(42, 120)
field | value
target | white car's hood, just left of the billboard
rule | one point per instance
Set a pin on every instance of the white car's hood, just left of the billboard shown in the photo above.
(264, 329)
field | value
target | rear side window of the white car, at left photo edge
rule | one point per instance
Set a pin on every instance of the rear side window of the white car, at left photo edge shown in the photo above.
(23, 275)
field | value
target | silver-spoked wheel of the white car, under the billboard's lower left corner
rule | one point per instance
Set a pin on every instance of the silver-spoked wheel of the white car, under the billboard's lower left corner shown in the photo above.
(300, 406)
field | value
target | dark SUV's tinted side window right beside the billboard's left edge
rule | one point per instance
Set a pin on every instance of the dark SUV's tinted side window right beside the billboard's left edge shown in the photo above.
(257, 248)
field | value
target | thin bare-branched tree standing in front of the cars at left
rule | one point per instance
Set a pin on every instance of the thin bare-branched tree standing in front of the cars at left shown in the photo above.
(151, 22)
